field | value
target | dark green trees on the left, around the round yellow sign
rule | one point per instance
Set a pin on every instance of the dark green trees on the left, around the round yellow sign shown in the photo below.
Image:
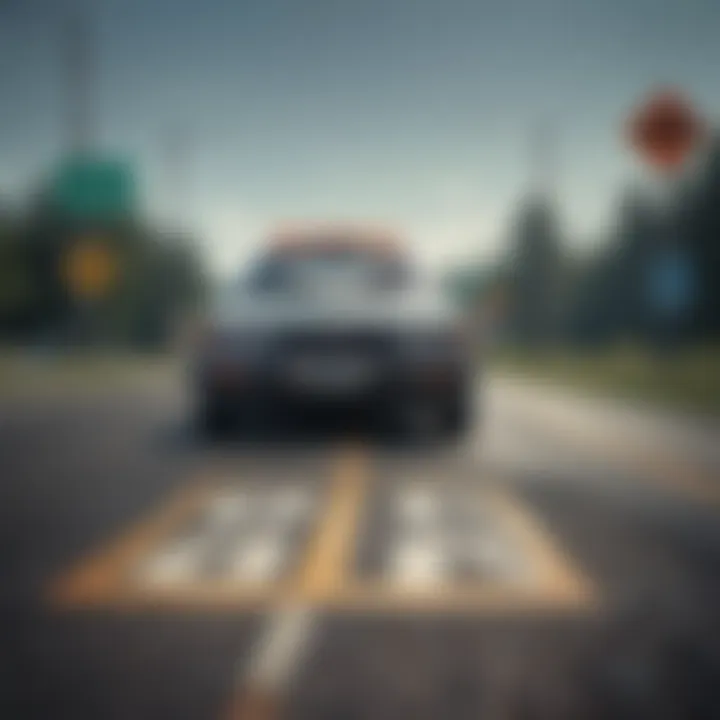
(158, 277)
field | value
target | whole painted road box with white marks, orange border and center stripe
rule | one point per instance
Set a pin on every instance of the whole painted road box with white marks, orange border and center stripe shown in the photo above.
(405, 543)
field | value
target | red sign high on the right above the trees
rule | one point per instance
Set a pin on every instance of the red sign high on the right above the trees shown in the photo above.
(665, 130)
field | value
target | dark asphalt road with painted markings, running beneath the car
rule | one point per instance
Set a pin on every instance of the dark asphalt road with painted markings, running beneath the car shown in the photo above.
(561, 563)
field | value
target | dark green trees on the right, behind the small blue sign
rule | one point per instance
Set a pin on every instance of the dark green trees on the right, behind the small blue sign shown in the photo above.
(603, 298)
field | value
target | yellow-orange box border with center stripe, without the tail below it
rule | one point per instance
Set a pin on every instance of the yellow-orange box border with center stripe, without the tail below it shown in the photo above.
(325, 575)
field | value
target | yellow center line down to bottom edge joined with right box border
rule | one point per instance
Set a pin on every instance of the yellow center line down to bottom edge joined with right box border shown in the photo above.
(324, 581)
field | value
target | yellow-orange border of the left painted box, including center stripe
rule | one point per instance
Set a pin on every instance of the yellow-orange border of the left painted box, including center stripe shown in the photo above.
(104, 579)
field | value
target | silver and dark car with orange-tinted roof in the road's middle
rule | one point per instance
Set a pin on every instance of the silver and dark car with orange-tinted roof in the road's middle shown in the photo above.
(335, 318)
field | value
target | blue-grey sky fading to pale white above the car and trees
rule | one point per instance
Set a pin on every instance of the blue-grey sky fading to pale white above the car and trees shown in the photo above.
(418, 114)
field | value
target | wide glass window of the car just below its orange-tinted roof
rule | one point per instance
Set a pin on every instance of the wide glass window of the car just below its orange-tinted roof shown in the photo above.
(342, 268)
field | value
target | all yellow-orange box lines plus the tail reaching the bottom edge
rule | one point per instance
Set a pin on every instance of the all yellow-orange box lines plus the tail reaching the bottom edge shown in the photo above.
(326, 577)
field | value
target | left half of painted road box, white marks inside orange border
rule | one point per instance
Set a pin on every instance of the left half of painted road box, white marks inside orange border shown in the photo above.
(226, 542)
